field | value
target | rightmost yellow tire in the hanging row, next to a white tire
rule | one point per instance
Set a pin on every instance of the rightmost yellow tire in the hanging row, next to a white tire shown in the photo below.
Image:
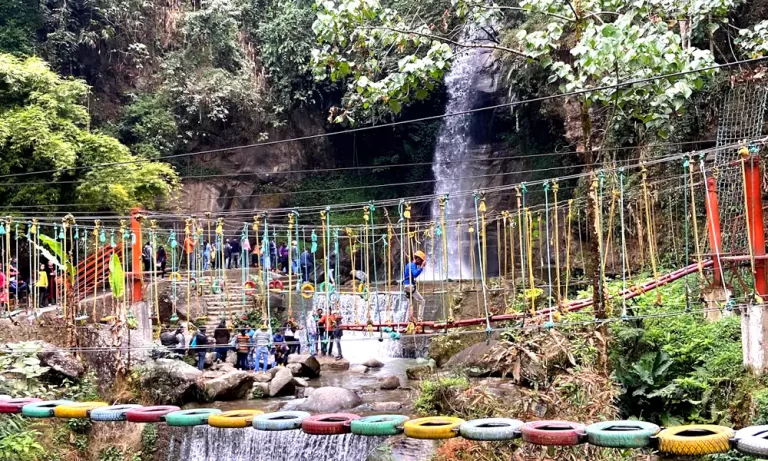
(695, 440)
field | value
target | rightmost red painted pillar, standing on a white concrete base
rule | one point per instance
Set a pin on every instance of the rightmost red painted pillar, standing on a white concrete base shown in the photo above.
(755, 212)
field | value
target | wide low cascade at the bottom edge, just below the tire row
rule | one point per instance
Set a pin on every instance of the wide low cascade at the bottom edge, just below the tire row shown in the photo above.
(205, 443)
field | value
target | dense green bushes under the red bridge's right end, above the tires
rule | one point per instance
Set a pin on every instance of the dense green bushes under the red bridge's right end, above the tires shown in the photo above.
(677, 368)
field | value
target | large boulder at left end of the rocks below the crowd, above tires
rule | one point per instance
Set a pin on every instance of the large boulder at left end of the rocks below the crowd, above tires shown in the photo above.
(168, 381)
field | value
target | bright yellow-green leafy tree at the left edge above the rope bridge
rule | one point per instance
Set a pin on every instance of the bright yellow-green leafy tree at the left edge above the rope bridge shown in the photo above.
(43, 126)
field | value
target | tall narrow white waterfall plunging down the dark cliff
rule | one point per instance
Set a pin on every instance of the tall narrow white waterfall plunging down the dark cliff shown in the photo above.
(450, 167)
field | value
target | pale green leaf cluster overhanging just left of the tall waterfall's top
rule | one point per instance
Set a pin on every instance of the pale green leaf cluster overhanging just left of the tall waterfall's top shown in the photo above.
(355, 38)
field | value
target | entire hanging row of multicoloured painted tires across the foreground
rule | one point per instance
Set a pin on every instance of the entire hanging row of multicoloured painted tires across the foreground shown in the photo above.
(681, 440)
